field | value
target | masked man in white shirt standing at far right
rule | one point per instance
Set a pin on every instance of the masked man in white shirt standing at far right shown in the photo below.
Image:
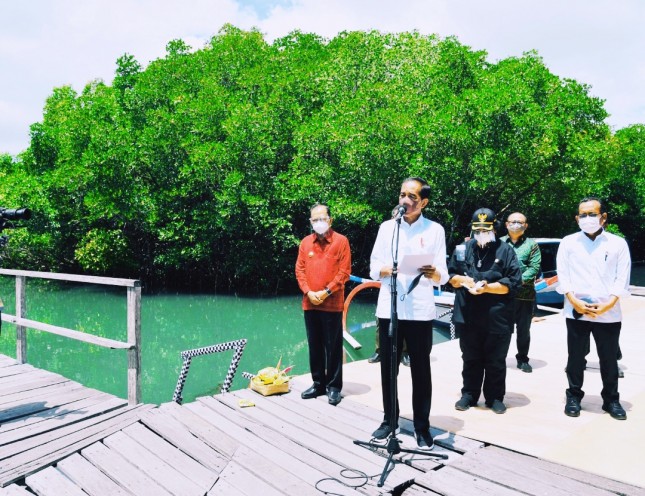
(593, 274)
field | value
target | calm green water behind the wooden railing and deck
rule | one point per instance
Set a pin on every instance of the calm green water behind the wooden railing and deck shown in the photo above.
(170, 323)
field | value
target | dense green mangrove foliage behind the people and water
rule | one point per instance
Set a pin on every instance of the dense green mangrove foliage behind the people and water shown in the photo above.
(199, 170)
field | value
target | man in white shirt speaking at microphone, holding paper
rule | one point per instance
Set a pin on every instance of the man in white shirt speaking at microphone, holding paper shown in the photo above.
(422, 265)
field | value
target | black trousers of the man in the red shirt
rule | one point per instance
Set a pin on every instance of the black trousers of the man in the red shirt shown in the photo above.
(325, 339)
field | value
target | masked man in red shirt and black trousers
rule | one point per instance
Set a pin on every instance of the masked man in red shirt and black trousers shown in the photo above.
(322, 269)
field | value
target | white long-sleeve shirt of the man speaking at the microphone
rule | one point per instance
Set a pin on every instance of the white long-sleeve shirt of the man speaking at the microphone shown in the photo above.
(422, 237)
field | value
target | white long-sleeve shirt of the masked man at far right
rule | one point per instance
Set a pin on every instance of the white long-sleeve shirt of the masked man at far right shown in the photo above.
(594, 270)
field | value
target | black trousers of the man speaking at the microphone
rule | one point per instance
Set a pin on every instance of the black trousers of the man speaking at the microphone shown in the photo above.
(418, 336)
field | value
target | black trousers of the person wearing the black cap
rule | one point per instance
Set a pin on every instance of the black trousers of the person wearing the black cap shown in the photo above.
(484, 355)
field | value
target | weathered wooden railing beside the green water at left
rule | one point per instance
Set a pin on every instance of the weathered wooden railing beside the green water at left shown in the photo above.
(132, 345)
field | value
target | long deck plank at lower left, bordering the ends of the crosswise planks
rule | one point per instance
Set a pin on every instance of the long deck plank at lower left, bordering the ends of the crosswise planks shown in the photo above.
(78, 436)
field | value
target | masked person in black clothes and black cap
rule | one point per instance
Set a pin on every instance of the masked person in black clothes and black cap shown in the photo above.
(487, 275)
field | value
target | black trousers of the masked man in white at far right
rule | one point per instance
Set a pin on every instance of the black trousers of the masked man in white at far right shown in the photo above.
(578, 340)
